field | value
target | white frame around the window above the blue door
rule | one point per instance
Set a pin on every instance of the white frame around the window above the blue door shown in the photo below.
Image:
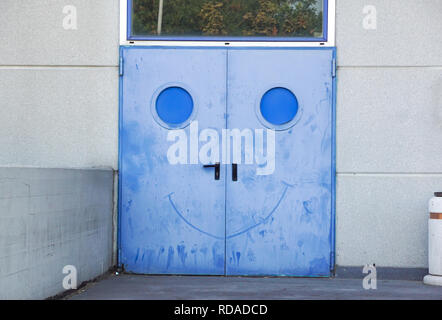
(124, 41)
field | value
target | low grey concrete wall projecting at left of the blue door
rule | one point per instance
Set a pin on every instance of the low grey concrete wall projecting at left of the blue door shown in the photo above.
(50, 218)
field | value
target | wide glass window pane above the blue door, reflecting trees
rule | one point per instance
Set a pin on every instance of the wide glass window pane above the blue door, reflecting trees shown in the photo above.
(223, 19)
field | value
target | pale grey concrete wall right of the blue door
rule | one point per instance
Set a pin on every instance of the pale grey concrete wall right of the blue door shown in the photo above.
(389, 128)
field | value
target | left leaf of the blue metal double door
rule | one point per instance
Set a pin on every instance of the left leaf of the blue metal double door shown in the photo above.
(172, 217)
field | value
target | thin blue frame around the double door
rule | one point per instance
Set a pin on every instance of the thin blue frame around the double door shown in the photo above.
(333, 69)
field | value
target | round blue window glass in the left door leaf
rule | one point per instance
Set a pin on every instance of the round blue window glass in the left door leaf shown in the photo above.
(174, 105)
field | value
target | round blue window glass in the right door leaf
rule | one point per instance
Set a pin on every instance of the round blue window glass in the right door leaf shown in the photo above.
(279, 106)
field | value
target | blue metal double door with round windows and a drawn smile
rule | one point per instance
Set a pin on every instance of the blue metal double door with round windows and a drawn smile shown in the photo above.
(240, 215)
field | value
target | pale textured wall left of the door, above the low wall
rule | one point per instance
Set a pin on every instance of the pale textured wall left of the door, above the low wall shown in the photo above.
(59, 88)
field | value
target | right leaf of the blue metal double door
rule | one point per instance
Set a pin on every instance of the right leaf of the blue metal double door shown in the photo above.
(281, 224)
